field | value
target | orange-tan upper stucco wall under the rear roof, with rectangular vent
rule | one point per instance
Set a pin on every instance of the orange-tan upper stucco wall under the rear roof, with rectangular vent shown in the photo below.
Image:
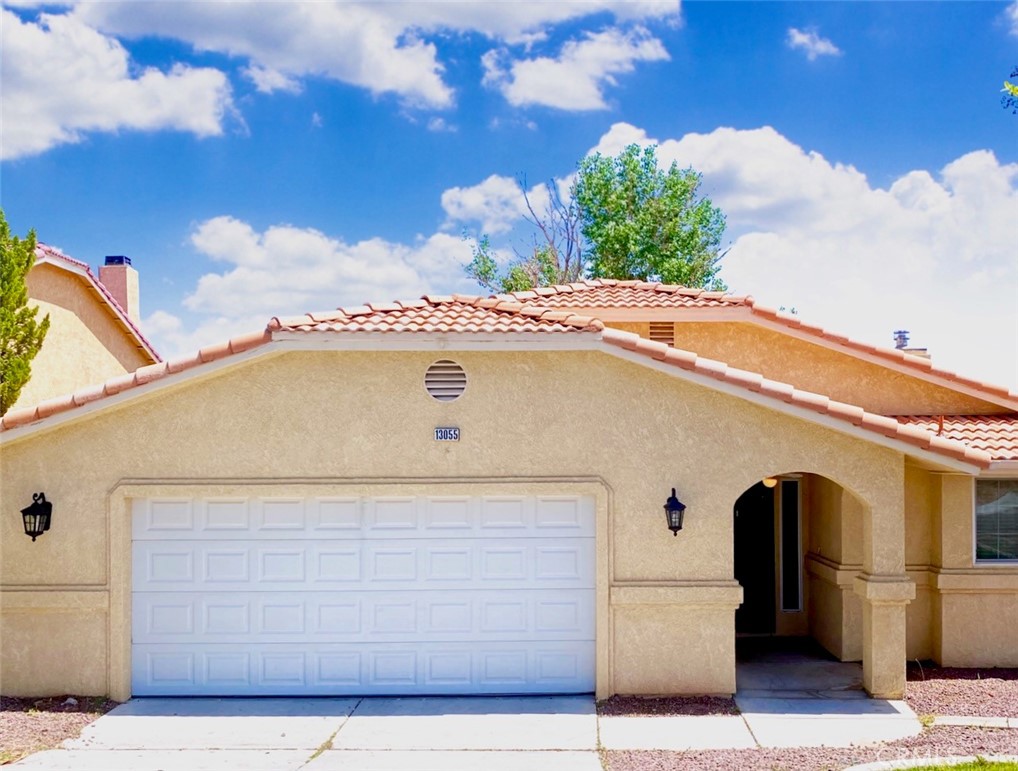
(816, 368)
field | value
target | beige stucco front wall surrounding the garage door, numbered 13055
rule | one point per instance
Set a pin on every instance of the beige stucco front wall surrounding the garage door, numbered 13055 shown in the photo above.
(331, 420)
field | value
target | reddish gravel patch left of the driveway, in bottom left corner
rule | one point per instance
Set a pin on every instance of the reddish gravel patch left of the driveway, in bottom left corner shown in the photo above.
(28, 726)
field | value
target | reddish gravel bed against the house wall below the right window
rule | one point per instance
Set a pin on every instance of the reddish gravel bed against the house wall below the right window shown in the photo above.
(946, 691)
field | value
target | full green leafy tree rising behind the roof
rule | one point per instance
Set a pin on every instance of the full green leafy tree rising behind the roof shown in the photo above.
(644, 223)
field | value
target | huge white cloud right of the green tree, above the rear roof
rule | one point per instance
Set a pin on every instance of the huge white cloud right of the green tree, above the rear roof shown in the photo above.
(933, 253)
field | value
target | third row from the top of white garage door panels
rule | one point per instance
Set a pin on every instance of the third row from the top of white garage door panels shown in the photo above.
(241, 618)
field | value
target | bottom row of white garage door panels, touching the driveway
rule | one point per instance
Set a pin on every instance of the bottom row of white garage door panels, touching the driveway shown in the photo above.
(365, 670)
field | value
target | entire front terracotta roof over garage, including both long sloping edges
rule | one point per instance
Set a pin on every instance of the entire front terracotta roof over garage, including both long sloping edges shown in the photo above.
(469, 317)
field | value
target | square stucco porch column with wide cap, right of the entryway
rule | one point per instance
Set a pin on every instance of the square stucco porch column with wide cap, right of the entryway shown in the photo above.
(884, 601)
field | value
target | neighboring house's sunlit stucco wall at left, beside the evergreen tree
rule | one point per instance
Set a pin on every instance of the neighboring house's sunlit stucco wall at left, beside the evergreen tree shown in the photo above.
(85, 345)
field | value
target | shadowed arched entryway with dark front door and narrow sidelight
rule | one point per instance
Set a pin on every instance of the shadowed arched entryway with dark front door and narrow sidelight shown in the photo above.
(798, 544)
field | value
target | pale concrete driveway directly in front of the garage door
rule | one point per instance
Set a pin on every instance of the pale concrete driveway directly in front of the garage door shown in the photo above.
(554, 734)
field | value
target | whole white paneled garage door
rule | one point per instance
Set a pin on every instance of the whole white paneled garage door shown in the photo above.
(361, 596)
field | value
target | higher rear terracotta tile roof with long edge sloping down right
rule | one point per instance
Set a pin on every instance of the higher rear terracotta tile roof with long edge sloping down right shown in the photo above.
(611, 294)
